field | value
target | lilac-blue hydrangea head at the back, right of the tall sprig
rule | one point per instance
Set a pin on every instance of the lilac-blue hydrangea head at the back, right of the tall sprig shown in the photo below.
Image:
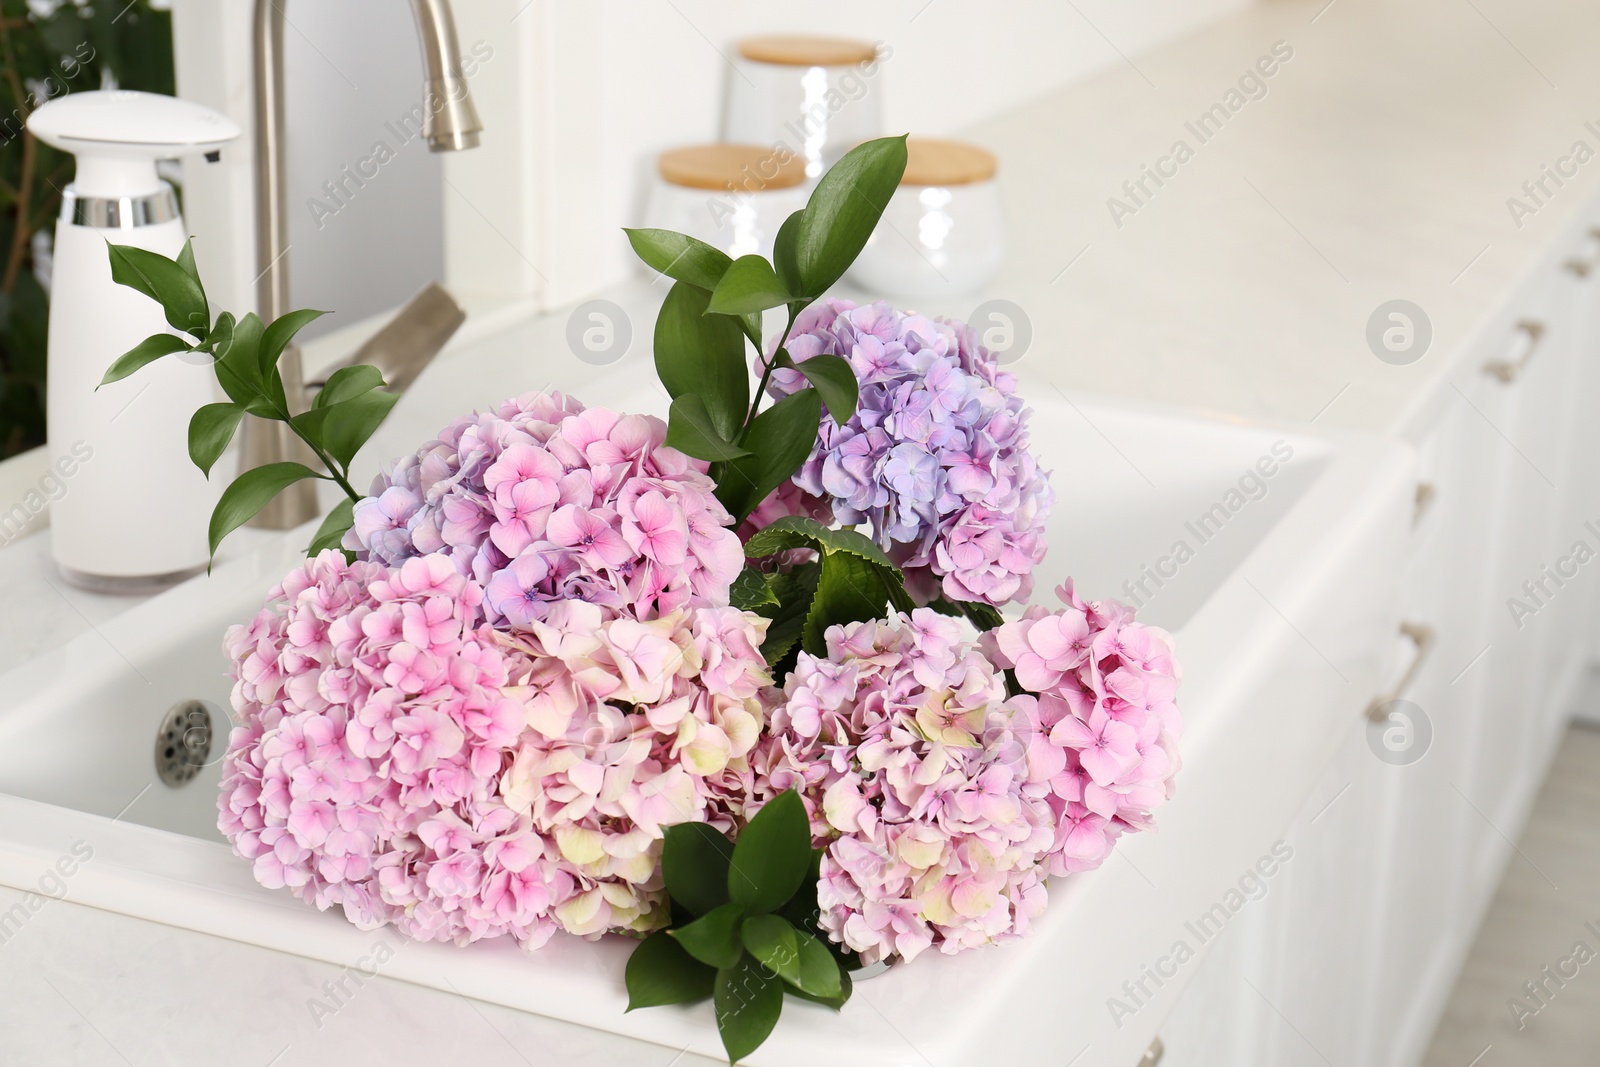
(935, 457)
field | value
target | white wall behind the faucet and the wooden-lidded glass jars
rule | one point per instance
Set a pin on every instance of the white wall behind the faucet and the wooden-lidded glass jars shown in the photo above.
(577, 102)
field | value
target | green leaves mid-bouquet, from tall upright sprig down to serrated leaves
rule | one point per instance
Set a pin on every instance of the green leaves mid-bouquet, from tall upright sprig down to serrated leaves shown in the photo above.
(713, 310)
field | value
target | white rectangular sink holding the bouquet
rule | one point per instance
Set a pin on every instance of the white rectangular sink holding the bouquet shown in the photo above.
(1282, 599)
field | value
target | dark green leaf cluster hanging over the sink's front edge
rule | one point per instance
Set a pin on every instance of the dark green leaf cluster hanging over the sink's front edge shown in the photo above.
(745, 927)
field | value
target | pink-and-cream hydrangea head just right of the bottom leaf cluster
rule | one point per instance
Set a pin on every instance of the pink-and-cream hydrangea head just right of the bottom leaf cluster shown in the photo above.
(905, 751)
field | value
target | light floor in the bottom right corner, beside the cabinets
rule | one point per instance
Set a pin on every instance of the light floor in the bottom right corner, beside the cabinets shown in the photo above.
(1534, 925)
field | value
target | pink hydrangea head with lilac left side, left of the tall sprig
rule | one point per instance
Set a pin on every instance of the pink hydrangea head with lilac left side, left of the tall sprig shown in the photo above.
(545, 502)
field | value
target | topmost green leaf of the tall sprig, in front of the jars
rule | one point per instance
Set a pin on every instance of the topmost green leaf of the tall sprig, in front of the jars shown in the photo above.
(844, 210)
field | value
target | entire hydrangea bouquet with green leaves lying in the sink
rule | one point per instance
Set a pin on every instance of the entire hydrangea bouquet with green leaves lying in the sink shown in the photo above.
(735, 684)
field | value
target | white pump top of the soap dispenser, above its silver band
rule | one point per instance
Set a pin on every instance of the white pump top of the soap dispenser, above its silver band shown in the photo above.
(118, 135)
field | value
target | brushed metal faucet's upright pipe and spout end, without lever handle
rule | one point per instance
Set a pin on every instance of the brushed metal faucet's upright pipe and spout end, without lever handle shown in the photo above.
(450, 126)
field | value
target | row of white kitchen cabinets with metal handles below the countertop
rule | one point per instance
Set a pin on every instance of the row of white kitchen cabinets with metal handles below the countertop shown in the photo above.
(1353, 954)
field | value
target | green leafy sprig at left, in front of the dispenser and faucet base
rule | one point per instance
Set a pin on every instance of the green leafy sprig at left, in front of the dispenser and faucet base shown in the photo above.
(246, 356)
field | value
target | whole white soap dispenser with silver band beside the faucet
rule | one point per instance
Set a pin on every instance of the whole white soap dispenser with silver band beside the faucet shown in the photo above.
(135, 513)
